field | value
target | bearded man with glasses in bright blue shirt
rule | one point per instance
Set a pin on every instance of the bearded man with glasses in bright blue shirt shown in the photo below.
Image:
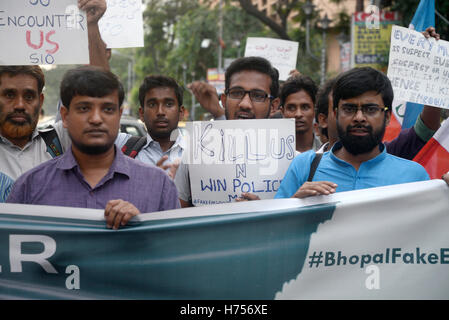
(362, 100)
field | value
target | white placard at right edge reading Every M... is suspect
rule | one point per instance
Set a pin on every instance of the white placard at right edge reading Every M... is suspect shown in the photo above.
(419, 68)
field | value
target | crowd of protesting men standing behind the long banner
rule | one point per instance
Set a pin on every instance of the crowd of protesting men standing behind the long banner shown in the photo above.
(83, 160)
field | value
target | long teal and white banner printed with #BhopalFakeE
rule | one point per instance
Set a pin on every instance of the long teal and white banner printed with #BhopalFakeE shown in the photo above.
(381, 243)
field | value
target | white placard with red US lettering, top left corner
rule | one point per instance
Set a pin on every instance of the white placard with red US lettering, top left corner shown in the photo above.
(40, 32)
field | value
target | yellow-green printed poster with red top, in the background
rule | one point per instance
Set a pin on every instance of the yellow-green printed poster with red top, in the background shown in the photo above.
(371, 38)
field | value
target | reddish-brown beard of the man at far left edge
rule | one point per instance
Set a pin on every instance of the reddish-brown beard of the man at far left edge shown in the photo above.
(17, 130)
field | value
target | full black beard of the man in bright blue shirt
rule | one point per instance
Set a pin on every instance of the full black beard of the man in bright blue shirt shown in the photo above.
(360, 144)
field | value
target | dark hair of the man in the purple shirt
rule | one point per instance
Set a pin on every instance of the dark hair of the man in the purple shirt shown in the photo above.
(89, 81)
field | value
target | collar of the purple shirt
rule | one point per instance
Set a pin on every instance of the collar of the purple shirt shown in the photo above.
(67, 162)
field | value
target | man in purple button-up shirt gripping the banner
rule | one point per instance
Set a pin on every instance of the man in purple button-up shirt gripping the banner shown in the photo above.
(92, 173)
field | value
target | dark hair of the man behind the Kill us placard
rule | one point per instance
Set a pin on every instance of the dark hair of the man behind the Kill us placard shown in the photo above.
(259, 64)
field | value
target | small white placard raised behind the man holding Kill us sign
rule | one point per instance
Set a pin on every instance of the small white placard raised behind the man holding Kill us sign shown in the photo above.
(281, 53)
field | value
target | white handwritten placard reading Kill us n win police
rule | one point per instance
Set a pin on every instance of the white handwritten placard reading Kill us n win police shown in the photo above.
(226, 158)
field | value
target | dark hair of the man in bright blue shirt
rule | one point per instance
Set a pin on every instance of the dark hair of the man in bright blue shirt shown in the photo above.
(357, 81)
